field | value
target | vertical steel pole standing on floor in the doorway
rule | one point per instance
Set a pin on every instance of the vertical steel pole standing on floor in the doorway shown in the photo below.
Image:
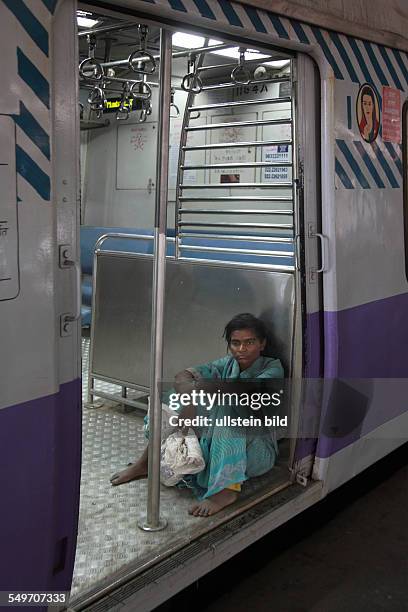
(153, 521)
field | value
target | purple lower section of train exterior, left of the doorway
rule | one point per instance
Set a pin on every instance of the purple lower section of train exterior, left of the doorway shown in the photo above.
(40, 443)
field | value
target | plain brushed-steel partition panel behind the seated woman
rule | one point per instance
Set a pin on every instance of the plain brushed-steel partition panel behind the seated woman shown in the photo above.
(200, 299)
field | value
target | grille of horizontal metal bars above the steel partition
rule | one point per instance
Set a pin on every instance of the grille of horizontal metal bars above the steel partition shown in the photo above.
(250, 223)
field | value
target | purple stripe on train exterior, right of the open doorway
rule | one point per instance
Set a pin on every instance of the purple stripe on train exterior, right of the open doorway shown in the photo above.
(366, 358)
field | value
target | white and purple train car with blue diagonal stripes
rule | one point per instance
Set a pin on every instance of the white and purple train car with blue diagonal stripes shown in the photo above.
(208, 157)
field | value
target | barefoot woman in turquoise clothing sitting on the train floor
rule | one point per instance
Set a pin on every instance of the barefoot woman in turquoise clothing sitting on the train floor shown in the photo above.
(229, 459)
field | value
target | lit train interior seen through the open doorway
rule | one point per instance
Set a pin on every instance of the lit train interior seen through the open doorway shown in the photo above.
(230, 248)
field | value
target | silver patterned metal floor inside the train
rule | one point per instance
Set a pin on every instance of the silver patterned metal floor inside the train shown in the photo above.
(110, 544)
